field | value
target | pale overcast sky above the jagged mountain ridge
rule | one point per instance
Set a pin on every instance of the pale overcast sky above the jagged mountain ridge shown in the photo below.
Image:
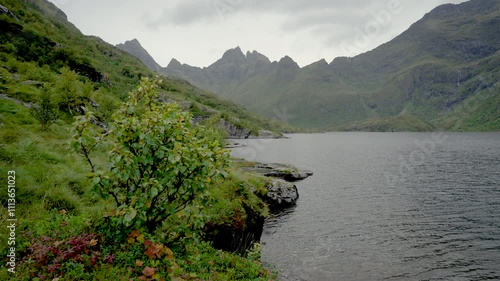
(198, 32)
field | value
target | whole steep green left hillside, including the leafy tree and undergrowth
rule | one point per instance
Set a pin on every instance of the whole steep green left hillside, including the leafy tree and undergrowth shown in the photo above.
(61, 227)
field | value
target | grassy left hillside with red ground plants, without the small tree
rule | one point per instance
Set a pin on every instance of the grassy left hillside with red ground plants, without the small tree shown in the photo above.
(64, 228)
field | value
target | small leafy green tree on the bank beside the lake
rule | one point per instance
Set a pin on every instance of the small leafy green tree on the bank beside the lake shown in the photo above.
(159, 163)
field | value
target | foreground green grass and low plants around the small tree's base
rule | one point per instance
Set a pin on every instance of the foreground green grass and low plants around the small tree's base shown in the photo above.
(50, 179)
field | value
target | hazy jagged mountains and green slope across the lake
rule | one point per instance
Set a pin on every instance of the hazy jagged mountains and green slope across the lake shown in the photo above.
(446, 60)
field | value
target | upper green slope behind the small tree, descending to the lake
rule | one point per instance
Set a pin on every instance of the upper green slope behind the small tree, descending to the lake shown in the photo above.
(38, 47)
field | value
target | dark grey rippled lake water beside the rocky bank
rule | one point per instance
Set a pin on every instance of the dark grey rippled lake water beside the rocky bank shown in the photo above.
(387, 206)
